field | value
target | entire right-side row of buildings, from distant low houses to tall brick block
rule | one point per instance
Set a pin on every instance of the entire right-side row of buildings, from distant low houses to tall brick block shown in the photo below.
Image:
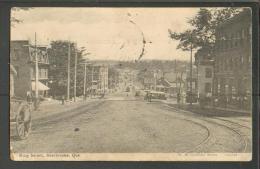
(220, 78)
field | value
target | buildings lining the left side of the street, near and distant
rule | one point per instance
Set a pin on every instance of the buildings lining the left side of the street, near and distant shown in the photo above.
(22, 71)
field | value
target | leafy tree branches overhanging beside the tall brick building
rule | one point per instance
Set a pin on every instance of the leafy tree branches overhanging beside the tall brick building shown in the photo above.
(204, 24)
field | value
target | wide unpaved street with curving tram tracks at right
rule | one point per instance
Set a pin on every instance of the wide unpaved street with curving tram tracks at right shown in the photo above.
(121, 123)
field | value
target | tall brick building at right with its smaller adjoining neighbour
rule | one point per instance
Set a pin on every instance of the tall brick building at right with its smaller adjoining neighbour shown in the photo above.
(225, 75)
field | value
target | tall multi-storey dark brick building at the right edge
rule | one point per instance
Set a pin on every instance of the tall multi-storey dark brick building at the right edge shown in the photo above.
(233, 59)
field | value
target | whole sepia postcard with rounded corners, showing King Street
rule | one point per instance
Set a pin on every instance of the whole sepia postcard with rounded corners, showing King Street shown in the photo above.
(131, 84)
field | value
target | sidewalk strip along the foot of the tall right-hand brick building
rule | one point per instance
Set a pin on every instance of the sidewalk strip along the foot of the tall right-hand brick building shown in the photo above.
(211, 111)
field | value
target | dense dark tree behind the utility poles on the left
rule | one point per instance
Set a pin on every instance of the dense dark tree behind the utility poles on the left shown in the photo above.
(58, 71)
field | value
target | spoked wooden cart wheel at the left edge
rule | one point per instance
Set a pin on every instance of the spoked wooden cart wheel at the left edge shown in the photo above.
(23, 121)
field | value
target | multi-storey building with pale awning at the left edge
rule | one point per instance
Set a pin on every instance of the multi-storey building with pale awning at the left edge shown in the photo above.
(22, 57)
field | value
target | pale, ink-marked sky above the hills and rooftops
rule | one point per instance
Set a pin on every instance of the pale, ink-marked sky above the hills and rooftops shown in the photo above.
(107, 33)
